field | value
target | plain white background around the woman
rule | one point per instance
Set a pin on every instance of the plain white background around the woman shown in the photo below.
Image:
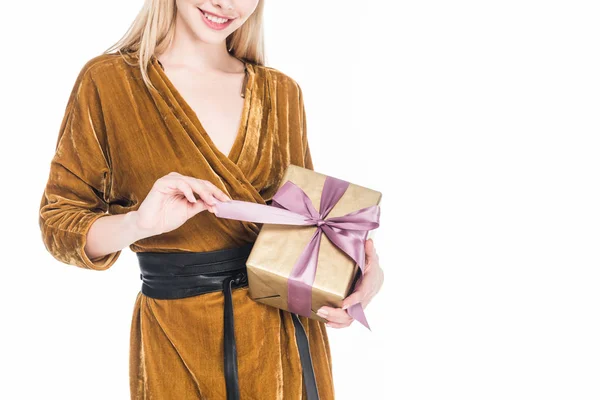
(477, 120)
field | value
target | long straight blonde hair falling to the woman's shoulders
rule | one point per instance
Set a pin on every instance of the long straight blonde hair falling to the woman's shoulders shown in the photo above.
(153, 28)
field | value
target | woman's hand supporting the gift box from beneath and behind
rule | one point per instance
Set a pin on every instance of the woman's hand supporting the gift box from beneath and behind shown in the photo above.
(366, 289)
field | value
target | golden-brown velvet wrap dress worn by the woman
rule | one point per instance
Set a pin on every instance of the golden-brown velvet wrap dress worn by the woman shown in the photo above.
(116, 139)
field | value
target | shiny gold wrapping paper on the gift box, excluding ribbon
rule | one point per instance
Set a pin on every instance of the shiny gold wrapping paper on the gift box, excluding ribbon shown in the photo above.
(277, 248)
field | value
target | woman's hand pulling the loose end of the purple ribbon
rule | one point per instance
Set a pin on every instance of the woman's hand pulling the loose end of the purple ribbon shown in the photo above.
(171, 202)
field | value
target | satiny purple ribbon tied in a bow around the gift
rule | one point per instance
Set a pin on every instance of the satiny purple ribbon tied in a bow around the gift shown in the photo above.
(291, 206)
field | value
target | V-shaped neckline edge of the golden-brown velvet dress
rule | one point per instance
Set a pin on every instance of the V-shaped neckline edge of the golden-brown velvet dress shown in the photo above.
(248, 83)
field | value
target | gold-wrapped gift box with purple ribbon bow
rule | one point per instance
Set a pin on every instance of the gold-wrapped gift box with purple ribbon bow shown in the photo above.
(279, 248)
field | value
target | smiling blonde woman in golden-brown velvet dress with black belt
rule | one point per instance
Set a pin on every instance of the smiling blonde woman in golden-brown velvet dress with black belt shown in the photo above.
(150, 124)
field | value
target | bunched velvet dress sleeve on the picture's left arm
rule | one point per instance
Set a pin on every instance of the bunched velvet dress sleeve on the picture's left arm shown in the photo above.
(78, 186)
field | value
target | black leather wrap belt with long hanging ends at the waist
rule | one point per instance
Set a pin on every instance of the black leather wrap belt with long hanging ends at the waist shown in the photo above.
(186, 274)
